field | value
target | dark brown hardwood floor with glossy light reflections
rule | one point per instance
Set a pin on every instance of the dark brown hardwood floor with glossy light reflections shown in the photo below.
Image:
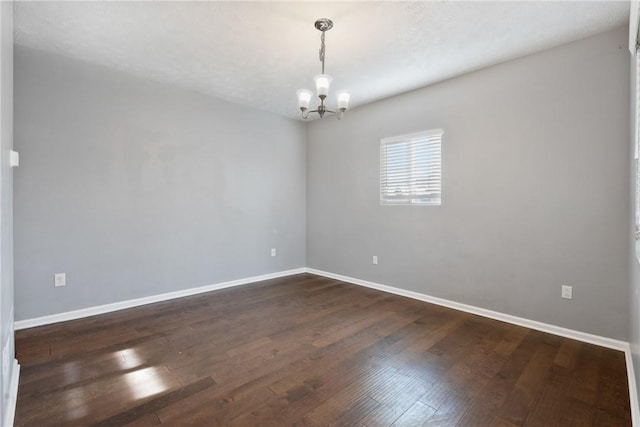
(310, 351)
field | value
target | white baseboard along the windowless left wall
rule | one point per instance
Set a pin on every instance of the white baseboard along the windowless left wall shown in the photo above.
(121, 305)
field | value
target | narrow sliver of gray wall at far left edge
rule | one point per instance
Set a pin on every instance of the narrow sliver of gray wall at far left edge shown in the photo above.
(6, 209)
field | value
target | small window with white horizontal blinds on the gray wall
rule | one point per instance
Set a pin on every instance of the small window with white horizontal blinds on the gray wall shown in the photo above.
(410, 169)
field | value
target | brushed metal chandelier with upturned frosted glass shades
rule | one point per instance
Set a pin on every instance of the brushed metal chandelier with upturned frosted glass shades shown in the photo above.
(323, 81)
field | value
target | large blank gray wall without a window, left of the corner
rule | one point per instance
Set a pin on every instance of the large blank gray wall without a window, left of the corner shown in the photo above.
(135, 188)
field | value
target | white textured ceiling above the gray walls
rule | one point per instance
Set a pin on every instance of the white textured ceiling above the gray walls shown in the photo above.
(259, 53)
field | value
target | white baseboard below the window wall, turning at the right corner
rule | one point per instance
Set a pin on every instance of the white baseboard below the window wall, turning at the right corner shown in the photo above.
(520, 321)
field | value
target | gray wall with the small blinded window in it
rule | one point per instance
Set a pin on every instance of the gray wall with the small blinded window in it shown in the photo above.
(535, 189)
